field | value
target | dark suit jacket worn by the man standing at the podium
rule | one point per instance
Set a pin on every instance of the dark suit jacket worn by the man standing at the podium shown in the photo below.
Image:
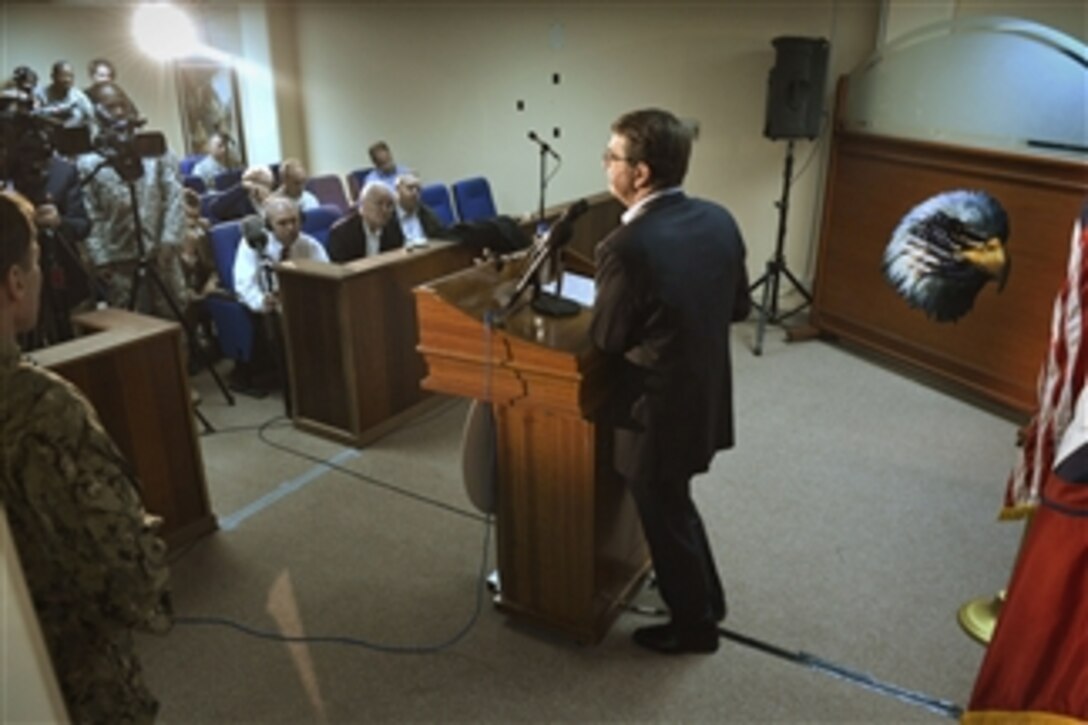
(670, 285)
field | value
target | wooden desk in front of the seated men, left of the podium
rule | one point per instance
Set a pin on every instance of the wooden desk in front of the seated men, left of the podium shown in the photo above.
(351, 336)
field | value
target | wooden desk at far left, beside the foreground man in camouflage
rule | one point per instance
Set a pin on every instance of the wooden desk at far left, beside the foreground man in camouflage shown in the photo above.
(131, 368)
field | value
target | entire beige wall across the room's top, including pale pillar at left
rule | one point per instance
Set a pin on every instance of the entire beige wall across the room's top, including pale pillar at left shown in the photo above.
(440, 82)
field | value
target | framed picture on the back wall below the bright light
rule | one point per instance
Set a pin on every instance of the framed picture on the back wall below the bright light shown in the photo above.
(208, 97)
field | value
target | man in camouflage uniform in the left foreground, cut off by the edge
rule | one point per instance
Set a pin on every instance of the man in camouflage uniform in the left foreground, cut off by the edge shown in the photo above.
(94, 563)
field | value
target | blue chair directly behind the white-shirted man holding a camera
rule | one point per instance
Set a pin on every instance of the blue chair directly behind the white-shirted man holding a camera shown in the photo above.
(234, 328)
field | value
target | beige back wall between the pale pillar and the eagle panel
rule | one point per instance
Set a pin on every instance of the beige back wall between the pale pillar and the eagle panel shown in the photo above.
(442, 84)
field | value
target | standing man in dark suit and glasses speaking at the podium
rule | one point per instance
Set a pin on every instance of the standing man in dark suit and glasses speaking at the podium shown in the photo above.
(671, 280)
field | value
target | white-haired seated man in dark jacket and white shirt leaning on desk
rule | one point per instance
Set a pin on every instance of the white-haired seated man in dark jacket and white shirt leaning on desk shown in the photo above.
(370, 229)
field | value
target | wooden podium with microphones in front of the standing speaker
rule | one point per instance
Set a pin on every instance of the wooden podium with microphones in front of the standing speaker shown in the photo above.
(571, 547)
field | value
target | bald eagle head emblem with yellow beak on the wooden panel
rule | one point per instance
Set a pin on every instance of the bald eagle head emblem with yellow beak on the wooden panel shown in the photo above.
(946, 250)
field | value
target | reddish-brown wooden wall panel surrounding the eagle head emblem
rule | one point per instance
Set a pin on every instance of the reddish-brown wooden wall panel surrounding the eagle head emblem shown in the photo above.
(996, 350)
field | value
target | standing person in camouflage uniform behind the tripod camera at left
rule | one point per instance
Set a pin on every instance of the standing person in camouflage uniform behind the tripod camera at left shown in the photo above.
(113, 244)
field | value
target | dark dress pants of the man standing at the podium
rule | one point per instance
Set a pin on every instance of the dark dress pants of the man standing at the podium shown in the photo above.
(684, 564)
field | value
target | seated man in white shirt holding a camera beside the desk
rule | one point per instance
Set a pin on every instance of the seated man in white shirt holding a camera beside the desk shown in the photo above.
(276, 239)
